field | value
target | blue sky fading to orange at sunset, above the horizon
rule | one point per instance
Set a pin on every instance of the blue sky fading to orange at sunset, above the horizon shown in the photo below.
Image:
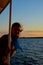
(29, 13)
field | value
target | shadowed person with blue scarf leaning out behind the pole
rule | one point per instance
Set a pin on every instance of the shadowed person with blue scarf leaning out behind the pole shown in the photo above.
(4, 49)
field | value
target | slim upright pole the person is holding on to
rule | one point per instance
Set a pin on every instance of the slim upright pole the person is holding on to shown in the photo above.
(9, 37)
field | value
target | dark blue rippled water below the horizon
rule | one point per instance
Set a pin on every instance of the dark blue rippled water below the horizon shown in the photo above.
(32, 52)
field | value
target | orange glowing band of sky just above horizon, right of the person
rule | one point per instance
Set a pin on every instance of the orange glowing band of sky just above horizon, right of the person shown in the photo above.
(32, 34)
